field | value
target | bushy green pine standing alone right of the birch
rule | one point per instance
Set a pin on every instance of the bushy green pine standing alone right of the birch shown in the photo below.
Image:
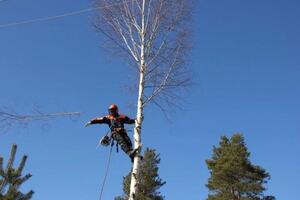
(233, 176)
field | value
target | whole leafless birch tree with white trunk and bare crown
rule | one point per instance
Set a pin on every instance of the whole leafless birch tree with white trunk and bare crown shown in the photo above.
(153, 35)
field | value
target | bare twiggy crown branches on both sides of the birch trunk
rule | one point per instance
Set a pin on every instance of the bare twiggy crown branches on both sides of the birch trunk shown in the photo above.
(166, 32)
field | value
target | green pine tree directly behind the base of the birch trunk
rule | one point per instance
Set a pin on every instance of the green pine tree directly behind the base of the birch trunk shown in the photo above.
(149, 180)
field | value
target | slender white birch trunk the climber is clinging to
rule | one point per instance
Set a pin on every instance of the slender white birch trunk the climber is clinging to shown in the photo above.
(139, 117)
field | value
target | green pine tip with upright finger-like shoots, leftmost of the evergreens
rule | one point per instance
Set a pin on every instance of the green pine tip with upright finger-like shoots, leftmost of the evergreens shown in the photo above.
(11, 179)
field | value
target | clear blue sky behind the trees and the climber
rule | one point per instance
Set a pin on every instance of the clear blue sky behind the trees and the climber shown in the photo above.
(246, 61)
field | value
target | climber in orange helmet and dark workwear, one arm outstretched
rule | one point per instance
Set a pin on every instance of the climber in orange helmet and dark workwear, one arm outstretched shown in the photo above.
(116, 122)
